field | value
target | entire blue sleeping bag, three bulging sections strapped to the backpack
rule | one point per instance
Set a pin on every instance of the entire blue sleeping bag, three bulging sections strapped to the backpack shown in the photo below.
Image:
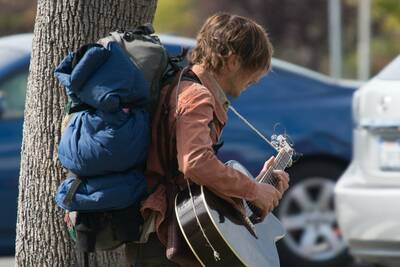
(105, 144)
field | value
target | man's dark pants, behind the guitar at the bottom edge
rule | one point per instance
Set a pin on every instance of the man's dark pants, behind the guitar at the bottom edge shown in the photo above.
(150, 254)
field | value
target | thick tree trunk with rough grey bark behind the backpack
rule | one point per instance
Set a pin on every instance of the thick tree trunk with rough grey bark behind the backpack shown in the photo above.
(60, 26)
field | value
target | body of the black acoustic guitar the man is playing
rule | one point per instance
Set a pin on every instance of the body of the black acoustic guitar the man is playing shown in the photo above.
(229, 235)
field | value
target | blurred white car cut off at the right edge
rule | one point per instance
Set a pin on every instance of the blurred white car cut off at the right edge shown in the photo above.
(367, 196)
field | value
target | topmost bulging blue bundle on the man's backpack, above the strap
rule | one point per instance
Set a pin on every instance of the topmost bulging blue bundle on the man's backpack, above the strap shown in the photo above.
(104, 78)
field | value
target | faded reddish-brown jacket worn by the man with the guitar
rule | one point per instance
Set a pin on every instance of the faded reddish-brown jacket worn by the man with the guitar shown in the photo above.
(200, 117)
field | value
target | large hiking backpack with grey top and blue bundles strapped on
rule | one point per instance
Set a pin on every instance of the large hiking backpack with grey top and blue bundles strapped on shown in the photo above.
(113, 88)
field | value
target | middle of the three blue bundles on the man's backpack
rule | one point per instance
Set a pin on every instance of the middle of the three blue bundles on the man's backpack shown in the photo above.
(97, 143)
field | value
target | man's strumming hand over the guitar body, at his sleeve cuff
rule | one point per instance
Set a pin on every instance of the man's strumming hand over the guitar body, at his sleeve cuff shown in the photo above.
(266, 199)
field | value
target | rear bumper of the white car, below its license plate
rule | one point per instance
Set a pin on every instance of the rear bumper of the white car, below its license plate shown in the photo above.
(369, 218)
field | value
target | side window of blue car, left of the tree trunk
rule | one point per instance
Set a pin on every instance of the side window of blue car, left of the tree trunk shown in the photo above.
(12, 96)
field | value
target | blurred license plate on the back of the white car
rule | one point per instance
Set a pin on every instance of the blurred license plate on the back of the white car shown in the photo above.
(390, 155)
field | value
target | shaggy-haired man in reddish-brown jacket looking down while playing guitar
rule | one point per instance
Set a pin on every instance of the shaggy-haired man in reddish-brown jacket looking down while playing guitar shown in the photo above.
(232, 53)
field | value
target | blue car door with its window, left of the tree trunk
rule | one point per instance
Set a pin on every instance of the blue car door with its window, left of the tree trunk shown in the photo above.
(12, 98)
